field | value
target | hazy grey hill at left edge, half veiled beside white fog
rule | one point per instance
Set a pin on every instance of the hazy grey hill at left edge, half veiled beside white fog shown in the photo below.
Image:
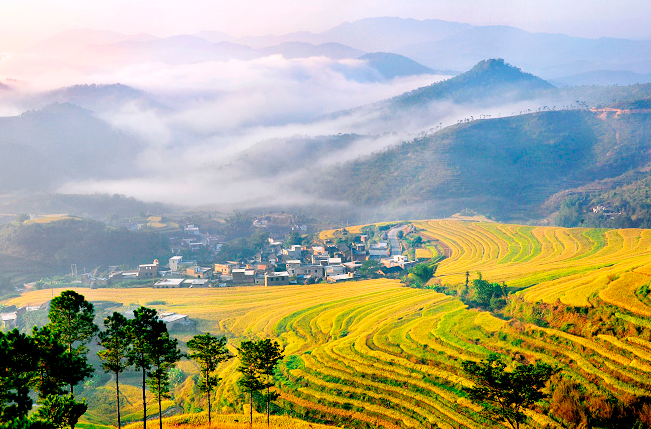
(42, 149)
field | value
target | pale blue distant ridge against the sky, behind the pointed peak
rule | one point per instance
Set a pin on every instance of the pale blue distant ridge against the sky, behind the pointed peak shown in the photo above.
(444, 45)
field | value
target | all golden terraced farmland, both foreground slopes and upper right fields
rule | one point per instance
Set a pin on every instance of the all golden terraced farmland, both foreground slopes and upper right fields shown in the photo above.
(377, 354)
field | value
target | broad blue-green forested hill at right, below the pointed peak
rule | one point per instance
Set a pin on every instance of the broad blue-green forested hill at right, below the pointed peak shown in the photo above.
(503, 167)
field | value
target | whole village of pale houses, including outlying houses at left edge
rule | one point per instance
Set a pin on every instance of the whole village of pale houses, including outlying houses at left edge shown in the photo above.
(345, 257)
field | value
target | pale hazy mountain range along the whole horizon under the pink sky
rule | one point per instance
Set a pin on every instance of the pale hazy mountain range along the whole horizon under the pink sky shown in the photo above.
(436, 44)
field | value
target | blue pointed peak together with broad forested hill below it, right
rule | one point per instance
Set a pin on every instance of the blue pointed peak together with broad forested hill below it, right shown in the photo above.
(509, 168)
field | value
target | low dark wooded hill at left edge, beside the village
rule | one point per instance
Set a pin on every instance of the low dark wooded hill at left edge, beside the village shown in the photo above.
(30, 250)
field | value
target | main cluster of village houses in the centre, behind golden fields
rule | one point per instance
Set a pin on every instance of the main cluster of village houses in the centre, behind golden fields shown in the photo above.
(276, 264)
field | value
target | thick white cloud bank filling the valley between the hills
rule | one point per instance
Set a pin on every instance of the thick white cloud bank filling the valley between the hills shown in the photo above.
(216, 110)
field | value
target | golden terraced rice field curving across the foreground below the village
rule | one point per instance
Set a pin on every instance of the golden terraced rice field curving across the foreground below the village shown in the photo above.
(378, 354)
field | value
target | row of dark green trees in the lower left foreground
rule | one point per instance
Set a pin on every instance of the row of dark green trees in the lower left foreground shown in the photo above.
(54, 359)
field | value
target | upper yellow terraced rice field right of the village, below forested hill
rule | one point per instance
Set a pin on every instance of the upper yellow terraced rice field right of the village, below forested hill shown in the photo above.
(566, 264)
